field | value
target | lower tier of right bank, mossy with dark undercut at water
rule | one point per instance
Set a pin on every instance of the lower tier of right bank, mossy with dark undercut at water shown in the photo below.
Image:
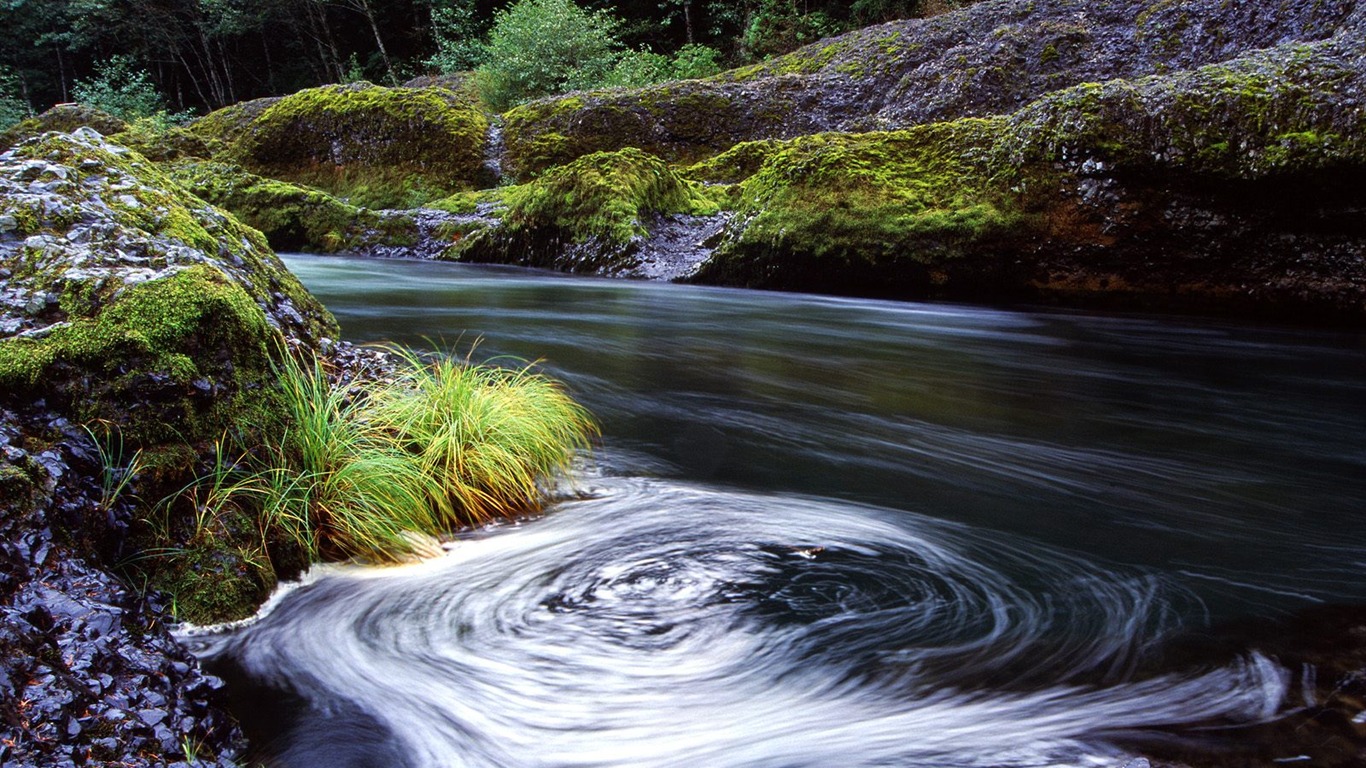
(1222, 189)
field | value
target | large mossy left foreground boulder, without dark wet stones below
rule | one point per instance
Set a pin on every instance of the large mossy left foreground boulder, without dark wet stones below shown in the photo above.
(147, 315)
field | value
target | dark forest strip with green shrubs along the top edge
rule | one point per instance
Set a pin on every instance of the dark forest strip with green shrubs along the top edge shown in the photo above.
(200, 55)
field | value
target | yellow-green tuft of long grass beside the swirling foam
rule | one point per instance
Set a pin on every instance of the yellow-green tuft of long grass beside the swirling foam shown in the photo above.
(442, 446)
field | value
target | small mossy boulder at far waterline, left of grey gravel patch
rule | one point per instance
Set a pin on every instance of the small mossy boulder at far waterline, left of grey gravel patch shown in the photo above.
(588, 217)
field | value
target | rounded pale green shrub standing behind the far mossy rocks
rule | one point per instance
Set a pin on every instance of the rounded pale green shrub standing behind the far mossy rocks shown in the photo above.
(543, 47)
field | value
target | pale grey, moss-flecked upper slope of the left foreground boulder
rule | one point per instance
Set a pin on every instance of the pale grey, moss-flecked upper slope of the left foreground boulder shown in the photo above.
(89, 219)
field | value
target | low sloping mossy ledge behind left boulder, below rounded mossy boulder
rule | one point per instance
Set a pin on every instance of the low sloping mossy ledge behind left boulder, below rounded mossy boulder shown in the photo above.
(293, 218)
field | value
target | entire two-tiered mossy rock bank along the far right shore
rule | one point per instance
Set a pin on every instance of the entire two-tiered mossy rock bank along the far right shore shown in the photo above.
(1189, 155)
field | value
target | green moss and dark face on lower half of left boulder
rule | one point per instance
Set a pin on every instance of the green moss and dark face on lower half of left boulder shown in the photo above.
(166, 337)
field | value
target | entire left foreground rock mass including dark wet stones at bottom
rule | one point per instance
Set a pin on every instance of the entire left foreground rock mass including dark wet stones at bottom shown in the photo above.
(137, 327)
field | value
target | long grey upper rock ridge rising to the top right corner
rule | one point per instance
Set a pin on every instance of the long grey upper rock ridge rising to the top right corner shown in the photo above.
(988, 59)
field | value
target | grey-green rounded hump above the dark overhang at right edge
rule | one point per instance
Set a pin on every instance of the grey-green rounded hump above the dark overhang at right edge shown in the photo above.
(1275, 111)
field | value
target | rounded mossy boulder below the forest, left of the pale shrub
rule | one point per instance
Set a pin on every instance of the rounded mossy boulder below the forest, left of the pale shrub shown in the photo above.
(375, 147)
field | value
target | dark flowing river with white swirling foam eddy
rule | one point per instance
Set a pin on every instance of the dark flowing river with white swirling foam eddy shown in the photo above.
(833, 532)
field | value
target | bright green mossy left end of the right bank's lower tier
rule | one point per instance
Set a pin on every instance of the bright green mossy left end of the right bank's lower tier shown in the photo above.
(883, 212)
